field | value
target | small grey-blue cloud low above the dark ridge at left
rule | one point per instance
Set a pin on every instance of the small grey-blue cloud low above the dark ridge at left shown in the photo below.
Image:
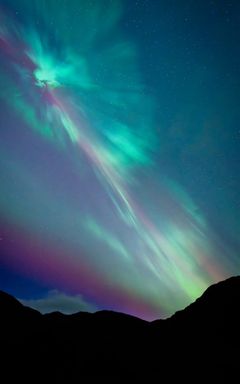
(59, 301)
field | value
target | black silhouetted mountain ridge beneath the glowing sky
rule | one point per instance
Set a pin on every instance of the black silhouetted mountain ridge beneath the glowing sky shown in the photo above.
(201, 342)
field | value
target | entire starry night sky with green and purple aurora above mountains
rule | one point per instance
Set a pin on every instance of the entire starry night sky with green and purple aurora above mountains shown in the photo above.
(119, 152)
